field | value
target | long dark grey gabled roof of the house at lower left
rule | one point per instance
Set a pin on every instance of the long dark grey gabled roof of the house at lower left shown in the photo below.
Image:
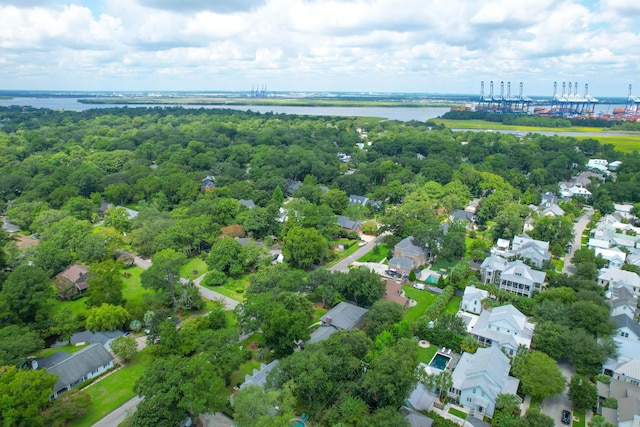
(79, 364)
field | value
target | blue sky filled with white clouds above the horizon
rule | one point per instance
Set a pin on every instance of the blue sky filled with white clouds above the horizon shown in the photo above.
(434, 46)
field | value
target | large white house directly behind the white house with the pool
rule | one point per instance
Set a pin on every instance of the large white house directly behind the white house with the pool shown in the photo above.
(504, 327)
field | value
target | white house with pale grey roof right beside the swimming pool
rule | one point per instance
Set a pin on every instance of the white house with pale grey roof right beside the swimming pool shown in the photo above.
(479, 378)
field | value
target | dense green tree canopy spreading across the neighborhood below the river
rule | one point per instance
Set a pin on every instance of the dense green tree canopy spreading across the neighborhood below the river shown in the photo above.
(106, 188)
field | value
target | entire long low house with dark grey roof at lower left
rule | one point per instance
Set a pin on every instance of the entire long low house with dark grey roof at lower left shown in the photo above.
(74, 369)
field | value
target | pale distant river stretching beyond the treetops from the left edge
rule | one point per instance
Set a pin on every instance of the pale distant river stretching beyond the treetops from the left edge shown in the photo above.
(403, 114)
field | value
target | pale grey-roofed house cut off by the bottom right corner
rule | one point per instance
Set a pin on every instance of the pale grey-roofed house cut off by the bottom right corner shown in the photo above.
(627, 414)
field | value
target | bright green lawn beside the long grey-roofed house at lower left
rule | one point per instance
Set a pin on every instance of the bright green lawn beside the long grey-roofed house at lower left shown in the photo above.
(111, 392)
